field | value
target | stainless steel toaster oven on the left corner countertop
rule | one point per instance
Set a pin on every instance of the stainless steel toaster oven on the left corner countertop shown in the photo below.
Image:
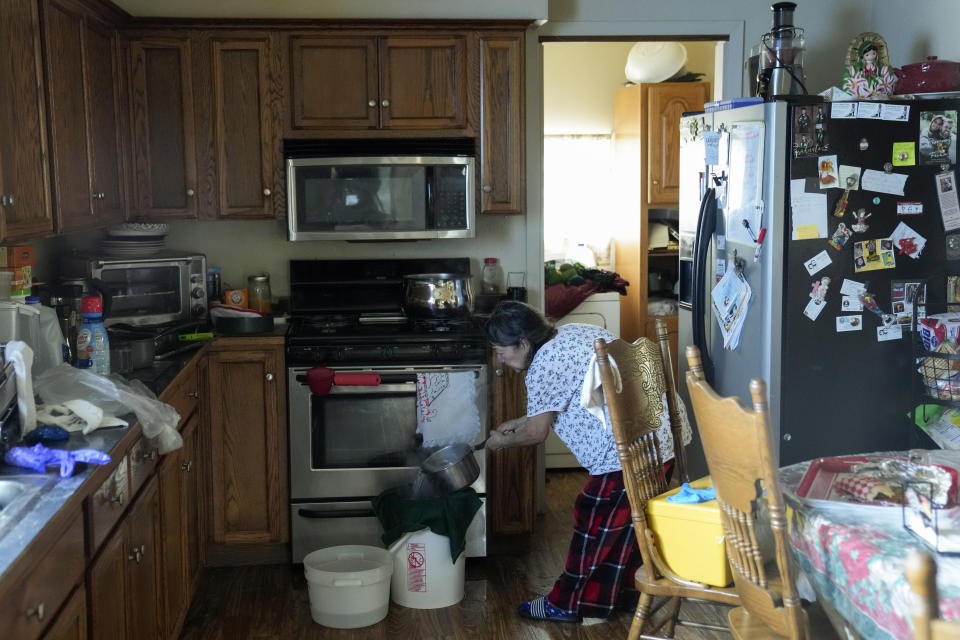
(164, 287)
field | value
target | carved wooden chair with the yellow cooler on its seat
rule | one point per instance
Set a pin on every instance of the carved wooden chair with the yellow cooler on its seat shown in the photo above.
(646, 374)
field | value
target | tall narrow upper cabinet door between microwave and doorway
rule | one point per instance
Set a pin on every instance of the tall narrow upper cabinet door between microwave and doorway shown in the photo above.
(502, 185)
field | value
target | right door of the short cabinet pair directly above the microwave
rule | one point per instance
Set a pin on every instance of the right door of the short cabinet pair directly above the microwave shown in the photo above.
(423, 82)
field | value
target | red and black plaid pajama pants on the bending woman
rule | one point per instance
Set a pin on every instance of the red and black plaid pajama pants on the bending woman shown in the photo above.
(603, 556)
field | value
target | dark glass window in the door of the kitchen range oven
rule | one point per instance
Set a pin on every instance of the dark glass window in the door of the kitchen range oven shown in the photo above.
(360, 431)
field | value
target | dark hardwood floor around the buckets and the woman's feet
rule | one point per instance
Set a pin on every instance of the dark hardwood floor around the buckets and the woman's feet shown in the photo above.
(271, 602)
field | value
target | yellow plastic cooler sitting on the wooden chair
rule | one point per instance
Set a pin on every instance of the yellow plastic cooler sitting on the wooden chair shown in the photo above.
(690, 536)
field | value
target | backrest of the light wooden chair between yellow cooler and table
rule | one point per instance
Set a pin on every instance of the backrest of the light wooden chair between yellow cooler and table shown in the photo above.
(738, 445)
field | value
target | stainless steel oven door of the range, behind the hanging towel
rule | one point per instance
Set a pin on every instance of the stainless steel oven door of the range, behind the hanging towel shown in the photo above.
(358, 441)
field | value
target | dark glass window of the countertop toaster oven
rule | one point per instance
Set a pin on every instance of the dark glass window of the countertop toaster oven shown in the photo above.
(143, 291)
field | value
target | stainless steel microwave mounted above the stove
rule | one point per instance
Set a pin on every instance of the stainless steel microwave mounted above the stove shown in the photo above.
(395, 197)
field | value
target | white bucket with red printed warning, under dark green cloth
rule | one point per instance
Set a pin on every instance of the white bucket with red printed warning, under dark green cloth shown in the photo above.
(424, 577)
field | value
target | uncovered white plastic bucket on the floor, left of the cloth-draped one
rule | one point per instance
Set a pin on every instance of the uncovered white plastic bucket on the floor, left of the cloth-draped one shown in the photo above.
(349, 586)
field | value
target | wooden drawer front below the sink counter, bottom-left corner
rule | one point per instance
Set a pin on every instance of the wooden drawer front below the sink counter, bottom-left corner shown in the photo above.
(28, 607)
